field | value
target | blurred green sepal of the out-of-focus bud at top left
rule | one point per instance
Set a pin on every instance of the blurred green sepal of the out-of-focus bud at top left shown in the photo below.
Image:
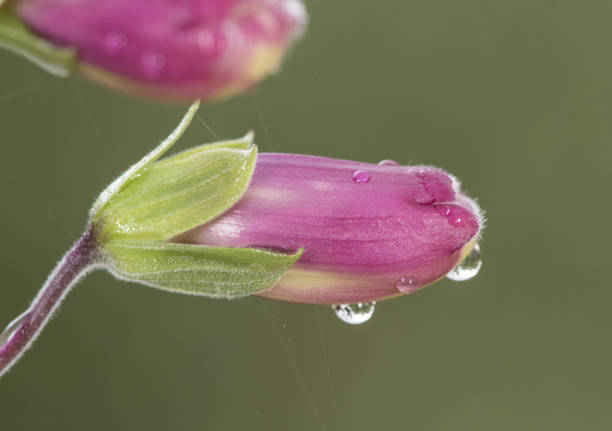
(15, 37)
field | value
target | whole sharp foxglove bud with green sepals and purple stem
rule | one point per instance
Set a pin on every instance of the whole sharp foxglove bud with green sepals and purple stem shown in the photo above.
(220, 220)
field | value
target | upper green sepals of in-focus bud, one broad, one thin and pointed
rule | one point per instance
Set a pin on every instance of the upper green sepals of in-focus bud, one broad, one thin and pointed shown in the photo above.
(156, 200)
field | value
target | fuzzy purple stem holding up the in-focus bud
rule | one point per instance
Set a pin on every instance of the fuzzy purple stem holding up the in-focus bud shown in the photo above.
(21, 332)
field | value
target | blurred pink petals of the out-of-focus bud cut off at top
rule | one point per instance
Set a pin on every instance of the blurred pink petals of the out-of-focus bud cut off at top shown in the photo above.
(207, 49)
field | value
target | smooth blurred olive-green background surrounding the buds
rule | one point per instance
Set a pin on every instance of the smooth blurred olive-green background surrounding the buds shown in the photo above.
(514, 97)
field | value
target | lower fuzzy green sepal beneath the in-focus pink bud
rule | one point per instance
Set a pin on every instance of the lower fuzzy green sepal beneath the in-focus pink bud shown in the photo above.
(218, 272)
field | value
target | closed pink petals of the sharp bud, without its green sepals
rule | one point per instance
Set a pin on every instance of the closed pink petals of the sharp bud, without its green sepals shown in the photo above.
(368, 232)
